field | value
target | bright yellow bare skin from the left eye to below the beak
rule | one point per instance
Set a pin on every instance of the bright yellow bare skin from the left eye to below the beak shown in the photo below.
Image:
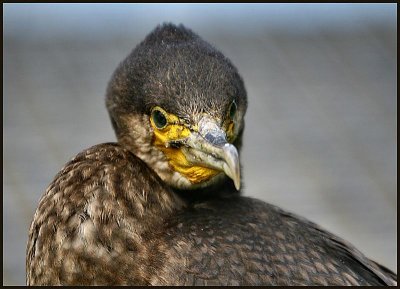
(174, 130)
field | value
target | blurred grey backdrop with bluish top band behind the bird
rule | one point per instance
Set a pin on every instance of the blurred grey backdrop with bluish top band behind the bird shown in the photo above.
(321, 131)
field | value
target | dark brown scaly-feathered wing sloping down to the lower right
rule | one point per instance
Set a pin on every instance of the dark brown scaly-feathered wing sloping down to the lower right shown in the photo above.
(242, 241)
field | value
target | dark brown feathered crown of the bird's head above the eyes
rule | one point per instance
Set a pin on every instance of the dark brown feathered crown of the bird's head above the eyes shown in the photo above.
(177, 70)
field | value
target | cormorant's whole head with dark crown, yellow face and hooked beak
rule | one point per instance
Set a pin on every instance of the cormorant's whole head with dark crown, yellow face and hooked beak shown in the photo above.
(179, 104)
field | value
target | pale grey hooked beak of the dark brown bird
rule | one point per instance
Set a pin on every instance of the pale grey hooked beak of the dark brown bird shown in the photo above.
(208, 147)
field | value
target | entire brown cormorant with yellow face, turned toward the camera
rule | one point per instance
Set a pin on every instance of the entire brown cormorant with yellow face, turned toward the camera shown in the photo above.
(163, 204)
